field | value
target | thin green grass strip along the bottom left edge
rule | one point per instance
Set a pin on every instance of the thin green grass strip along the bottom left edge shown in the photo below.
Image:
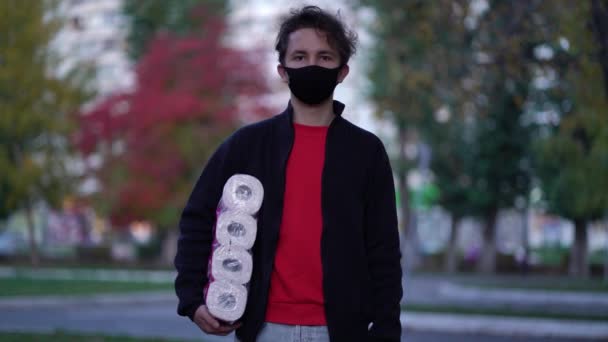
(70, 337)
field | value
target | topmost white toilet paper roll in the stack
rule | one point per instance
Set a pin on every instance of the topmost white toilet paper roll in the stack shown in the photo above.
(243, 193)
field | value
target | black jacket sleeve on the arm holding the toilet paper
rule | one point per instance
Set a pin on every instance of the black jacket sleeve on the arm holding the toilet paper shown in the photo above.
(196, 233)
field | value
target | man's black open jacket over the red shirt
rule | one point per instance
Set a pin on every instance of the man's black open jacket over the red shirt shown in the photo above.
(359, 245)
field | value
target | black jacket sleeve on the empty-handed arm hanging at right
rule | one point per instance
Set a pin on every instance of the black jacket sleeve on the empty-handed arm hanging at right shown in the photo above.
(384, 255)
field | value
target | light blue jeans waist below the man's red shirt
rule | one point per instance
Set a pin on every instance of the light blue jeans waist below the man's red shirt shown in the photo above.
(273, 332)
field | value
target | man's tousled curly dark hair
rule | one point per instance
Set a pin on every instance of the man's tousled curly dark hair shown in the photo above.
(338, 35)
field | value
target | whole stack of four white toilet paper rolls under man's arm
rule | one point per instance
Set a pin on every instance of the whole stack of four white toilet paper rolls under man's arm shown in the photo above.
(230, 264)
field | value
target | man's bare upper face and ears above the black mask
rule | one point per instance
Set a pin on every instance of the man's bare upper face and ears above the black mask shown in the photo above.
(308, 46)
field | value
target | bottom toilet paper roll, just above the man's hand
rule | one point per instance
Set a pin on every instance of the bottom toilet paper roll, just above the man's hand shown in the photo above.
(226, 301)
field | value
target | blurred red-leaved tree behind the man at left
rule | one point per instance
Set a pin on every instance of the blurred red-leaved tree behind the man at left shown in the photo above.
(190, 92)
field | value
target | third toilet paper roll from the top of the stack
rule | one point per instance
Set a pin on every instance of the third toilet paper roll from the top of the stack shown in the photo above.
(231, 263)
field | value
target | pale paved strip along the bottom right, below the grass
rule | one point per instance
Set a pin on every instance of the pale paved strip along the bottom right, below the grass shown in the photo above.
(505, 326)
